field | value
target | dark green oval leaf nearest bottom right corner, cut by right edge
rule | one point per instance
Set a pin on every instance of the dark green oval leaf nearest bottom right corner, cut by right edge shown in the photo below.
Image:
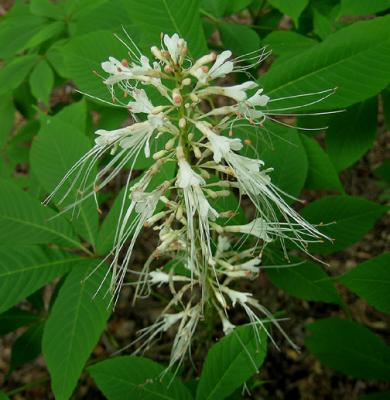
(349, 348)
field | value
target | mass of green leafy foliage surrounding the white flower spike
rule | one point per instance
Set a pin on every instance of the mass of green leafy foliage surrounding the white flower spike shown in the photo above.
(44, 128)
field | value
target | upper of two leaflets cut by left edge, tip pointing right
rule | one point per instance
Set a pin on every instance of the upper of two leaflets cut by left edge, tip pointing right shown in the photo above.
(24, 221)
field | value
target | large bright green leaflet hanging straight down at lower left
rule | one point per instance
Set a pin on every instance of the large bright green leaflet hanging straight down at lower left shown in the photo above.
(74, 326)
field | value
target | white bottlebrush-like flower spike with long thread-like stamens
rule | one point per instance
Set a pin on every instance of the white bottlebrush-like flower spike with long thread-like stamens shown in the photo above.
(192, 231)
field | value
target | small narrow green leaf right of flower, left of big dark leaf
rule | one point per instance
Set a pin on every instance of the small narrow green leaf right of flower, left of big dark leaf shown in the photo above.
(321, 173)
